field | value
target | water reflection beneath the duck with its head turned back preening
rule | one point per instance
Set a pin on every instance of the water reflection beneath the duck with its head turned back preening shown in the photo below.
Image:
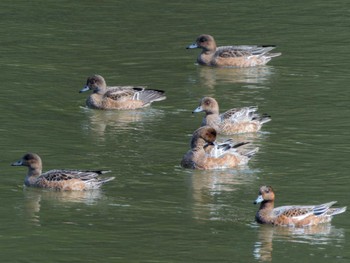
(207, 186)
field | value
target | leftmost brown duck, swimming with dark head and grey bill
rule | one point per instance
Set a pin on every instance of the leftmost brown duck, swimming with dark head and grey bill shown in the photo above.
(65, 180)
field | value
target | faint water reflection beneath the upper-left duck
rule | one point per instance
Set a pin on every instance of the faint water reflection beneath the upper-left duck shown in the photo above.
(99, 120)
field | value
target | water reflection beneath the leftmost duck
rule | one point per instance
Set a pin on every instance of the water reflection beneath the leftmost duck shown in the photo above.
(34, 197)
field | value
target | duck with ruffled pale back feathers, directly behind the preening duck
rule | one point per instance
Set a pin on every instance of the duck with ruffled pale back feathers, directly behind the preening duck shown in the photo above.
(233, 121)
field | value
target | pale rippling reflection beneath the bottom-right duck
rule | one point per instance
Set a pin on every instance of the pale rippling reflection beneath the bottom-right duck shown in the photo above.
(315, 235)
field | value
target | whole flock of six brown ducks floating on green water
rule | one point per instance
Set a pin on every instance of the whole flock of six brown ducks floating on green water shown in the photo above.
(205, 151)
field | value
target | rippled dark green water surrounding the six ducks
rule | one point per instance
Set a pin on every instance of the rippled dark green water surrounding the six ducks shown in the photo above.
(155, 211)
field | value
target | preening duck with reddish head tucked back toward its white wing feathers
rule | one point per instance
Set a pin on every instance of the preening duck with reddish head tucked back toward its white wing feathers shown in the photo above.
(206, 153)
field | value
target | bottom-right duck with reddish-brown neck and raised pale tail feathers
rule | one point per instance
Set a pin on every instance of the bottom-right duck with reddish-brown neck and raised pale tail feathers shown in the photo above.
(293, 215)
